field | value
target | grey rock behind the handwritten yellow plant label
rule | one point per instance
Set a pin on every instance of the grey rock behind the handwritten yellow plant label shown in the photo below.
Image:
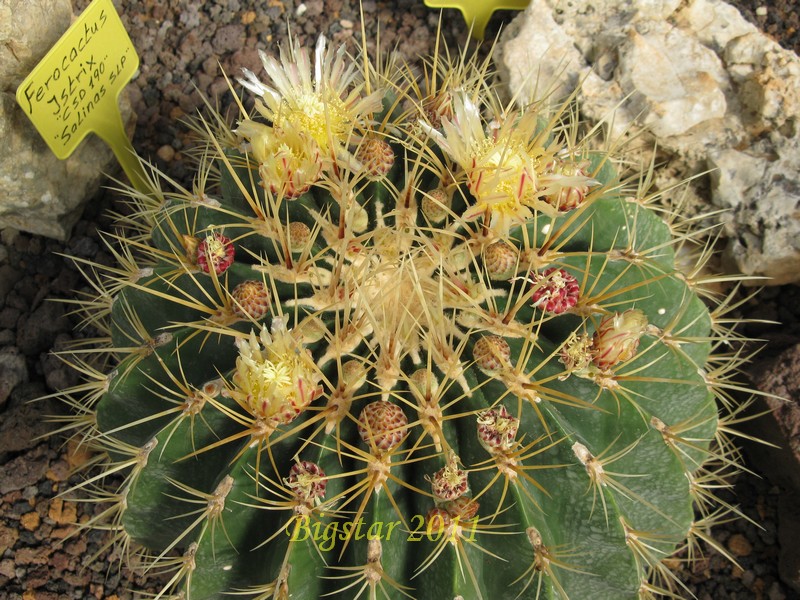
(38, 192)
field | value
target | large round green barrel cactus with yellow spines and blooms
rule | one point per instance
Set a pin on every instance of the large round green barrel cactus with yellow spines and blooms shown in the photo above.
(402, 339)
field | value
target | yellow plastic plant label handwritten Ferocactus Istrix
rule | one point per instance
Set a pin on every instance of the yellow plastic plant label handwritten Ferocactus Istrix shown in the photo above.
(75, 88)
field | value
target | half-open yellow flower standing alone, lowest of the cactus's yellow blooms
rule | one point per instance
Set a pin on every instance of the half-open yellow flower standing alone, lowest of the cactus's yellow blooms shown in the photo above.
(275, 378)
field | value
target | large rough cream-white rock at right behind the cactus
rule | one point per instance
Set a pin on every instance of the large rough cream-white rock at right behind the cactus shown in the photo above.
(699, 81)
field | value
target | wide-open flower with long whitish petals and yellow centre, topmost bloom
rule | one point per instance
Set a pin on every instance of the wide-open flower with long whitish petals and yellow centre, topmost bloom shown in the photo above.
(325, 102)
